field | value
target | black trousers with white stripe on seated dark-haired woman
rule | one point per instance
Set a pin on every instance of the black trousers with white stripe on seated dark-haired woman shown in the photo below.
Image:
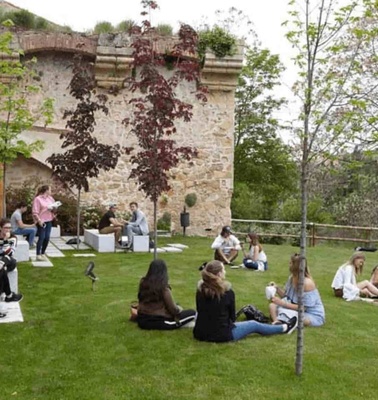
(163, 323)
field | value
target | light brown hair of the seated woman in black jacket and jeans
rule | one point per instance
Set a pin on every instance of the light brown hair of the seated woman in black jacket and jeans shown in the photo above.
(212, 284)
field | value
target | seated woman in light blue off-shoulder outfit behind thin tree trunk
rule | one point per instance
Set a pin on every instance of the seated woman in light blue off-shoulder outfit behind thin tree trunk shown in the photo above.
(285, 305)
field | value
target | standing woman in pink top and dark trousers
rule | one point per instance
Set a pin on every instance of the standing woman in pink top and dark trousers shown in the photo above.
(43, 216)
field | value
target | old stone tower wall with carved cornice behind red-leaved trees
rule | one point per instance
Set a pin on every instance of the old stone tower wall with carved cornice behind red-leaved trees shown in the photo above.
(210, 176)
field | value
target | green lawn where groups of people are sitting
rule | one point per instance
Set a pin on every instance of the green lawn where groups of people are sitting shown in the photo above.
(79, 344)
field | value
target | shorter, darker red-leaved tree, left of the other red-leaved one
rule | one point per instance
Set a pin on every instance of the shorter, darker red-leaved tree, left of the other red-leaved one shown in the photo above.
(85, 156)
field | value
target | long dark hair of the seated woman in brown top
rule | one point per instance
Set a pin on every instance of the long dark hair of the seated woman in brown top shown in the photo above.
(151, 287)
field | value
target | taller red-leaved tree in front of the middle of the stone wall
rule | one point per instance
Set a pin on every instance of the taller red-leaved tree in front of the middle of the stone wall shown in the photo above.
(157, 107)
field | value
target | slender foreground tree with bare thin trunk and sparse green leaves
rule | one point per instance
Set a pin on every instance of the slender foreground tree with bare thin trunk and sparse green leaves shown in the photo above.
(320, 33)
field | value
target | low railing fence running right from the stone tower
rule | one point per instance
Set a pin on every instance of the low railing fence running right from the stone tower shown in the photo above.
(316, 233)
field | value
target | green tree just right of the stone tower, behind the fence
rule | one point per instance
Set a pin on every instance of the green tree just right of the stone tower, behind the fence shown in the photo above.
(262, 161)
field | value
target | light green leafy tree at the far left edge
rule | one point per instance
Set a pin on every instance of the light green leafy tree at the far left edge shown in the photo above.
(16, 91)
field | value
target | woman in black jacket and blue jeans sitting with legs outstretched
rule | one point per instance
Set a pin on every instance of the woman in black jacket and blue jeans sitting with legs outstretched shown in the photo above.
(216, 311)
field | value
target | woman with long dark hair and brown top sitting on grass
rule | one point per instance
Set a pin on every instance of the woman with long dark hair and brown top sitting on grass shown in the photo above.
(156, 308)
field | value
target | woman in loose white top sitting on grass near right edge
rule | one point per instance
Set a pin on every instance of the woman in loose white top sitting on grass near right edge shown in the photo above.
(345, 283)
